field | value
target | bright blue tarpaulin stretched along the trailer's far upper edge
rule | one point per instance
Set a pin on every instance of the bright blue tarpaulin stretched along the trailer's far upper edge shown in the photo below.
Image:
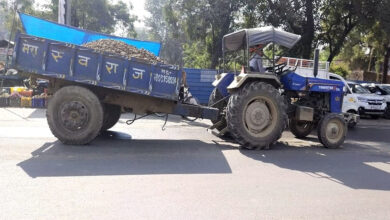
(58, 32)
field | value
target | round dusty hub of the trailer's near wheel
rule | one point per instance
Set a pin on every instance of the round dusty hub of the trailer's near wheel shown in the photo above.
(74, 115)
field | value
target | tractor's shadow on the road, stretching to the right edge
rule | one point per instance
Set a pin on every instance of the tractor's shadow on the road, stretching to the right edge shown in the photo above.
(352, 165)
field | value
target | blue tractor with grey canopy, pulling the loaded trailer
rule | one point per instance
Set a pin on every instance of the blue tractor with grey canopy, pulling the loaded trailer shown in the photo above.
(256, 107)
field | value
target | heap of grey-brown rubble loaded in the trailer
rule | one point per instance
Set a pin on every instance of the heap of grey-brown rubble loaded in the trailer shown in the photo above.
(122, 49)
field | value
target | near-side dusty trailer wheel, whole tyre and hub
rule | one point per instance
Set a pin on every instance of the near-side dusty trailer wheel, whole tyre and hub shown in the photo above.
(75, 115)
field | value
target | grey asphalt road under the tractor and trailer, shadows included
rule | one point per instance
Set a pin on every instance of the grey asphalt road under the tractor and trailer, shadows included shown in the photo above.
(142, 172)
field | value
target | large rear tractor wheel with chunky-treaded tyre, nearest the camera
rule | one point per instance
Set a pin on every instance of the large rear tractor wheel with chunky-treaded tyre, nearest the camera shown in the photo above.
(256, 115)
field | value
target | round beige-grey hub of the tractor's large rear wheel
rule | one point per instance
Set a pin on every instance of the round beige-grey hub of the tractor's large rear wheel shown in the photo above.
(257, 116)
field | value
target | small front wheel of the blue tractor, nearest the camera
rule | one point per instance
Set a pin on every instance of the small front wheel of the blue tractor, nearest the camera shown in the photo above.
(332, 130)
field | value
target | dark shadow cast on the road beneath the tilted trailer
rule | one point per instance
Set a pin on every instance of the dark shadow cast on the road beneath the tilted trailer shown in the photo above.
(114, 153)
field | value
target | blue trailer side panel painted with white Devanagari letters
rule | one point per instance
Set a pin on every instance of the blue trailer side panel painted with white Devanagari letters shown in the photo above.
(70, 62)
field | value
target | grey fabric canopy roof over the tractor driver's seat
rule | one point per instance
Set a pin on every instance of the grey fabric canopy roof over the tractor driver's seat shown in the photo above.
(246, 38)
